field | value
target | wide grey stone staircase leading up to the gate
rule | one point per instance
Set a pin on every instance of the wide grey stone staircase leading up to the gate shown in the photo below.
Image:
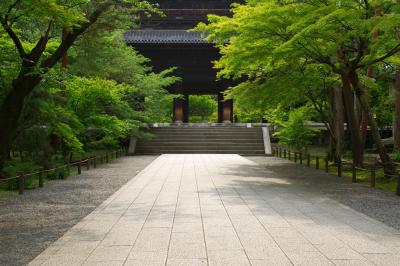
(201, 140)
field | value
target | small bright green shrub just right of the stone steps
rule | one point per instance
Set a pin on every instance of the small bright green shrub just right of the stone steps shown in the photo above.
(295, 132)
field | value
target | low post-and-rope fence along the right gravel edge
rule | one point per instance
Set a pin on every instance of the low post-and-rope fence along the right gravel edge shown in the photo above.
(299, 157)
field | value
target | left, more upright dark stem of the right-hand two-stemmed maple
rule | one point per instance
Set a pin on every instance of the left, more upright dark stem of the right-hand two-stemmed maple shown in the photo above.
(352, 121)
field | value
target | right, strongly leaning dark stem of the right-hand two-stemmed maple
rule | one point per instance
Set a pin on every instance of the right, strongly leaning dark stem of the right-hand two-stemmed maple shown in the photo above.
(388, 165)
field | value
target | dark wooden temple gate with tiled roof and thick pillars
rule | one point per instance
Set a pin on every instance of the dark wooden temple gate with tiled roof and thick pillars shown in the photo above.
(167, 43)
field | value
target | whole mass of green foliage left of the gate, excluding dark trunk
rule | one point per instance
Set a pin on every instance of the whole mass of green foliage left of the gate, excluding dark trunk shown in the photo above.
(107, 92)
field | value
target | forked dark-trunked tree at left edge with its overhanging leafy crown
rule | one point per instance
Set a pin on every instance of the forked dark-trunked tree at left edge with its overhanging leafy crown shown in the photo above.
(34, 28)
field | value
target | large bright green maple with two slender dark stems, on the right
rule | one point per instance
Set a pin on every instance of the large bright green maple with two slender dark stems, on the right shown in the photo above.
(265, 36)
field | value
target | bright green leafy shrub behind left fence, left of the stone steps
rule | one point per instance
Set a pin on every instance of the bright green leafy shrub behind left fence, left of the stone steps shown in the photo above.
(99, 104)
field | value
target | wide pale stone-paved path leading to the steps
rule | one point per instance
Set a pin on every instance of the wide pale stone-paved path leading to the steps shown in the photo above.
(221, 210)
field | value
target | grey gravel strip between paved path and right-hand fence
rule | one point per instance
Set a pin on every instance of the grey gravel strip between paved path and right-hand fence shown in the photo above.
(378, 204)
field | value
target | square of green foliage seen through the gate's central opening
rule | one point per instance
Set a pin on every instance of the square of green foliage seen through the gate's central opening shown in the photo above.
(202, 108)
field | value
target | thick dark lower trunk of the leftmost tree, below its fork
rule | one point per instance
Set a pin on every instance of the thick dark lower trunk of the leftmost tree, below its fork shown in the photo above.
(12, 107)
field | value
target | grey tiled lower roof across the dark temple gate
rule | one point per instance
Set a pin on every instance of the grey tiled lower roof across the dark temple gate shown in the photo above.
(163, 37)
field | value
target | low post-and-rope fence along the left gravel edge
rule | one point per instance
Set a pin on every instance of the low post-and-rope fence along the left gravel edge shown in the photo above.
(88, 162)
